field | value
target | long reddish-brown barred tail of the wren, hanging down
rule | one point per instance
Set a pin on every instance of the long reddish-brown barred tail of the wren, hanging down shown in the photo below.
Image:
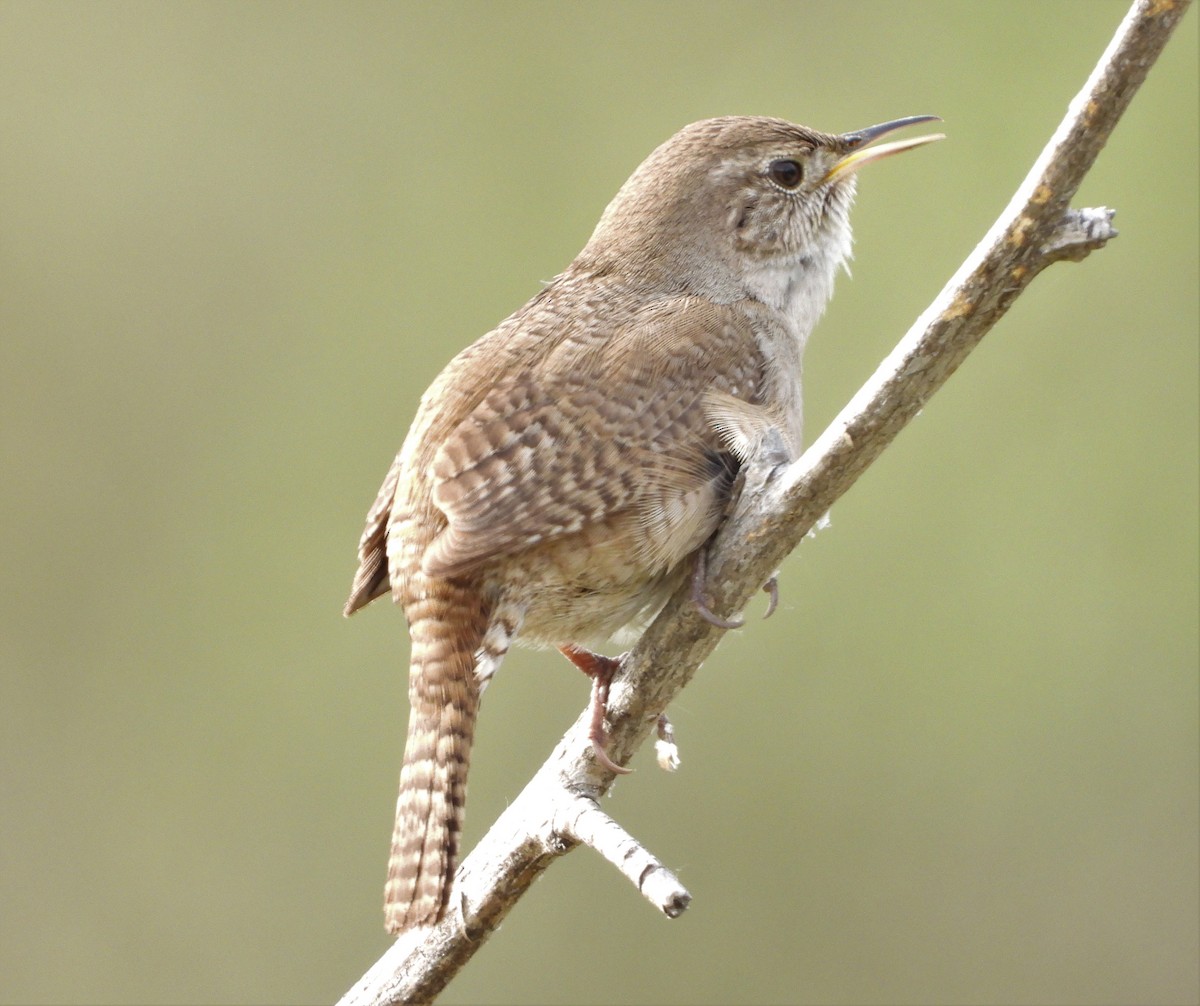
(447, 627)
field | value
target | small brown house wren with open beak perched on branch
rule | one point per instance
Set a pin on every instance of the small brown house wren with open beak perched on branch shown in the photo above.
(565, 472)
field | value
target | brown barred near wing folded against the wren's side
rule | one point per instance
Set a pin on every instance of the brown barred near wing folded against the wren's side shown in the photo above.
(595, 433)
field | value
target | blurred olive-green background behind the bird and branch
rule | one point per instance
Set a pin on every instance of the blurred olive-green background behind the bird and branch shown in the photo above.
(237, 242)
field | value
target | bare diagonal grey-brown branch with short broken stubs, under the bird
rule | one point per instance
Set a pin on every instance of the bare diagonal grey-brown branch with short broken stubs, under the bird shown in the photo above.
(779, 505)
